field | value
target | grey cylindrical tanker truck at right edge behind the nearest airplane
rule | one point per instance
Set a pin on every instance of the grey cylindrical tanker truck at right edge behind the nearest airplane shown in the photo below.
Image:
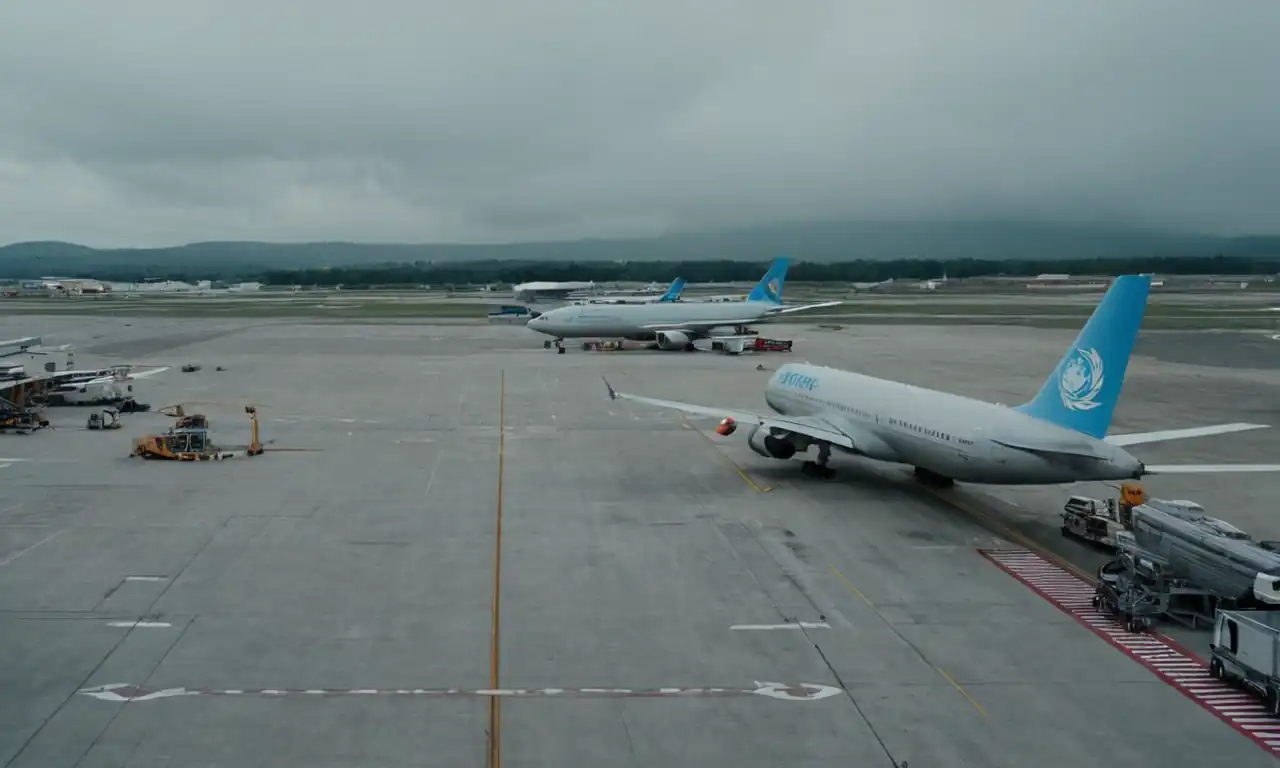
(1210, 554)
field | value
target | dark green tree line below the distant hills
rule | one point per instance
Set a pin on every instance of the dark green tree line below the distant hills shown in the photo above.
(725, 272)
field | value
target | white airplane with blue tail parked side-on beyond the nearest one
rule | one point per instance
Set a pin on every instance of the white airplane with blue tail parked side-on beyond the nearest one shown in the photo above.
(674, 326)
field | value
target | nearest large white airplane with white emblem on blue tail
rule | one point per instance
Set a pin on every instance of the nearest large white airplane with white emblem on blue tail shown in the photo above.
(1059, 437)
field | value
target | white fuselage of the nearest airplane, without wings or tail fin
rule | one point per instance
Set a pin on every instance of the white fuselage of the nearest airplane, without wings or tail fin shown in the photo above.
(952, 436)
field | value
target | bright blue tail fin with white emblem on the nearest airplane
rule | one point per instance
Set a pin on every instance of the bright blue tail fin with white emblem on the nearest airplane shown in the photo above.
(1084, 391)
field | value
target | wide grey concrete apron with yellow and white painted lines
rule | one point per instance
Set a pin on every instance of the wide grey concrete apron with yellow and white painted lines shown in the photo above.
(337, 607)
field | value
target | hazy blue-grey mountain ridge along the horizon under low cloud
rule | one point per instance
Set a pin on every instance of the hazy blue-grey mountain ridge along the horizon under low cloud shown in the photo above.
(820, 243)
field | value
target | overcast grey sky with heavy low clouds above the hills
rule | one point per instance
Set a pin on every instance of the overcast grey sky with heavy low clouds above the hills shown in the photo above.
(162, 122)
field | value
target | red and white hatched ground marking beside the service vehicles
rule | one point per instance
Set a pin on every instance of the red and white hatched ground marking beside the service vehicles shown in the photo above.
(1168, 660)
